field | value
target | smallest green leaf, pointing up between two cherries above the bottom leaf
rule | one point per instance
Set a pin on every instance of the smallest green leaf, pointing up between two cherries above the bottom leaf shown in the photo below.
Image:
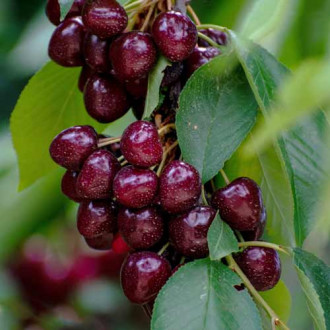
(221, 239)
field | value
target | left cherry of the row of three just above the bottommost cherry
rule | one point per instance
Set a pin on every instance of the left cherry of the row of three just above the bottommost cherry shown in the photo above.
(96, 218)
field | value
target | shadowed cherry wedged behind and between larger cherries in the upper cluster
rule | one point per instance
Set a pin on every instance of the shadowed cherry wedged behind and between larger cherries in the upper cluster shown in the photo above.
(96, 53)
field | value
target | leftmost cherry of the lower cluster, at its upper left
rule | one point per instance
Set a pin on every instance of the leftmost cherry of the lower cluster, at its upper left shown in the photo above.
(72, 146)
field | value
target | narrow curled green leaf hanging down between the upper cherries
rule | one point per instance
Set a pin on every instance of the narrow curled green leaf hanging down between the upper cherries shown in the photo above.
(154, 81)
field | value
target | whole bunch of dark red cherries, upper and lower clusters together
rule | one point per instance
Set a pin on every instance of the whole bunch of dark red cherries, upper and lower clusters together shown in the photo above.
(135, 191)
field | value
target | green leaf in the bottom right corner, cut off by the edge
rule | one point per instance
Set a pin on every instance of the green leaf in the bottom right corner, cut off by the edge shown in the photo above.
(314, 277)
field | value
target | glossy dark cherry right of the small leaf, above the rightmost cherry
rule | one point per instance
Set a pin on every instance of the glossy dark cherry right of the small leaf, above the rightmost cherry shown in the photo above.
(240, 204)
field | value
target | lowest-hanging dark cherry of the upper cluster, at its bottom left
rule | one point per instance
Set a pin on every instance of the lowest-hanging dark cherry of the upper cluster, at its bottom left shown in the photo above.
(105, 99)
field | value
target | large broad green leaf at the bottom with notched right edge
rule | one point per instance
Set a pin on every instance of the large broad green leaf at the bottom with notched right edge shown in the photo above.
(201, 296)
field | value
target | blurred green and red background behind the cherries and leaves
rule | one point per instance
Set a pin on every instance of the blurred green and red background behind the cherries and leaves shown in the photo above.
(48, 279)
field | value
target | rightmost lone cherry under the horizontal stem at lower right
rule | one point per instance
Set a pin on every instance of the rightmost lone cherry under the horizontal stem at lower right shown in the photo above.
(261, 265)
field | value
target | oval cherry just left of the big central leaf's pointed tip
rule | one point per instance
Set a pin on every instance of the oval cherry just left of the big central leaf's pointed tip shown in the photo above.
(180, 187)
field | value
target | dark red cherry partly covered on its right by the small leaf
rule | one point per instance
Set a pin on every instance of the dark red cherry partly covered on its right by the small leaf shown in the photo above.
(188, 232)
